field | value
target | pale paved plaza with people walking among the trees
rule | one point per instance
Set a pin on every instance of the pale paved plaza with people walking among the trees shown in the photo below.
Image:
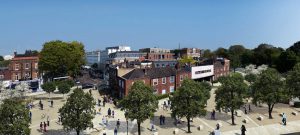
(254, 126)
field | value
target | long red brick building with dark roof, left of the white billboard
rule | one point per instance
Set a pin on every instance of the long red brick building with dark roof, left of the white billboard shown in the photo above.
(163, 80)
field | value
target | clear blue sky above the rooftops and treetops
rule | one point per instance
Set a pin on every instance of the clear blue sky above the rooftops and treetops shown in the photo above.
(207, 24)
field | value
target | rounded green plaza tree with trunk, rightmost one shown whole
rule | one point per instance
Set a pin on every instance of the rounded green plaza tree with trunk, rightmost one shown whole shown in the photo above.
(269, 89)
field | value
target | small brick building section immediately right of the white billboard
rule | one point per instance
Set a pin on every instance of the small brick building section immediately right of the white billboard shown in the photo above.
(221, 67)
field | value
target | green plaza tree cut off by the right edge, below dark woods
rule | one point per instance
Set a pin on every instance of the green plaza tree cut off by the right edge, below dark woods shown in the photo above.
(293, 81)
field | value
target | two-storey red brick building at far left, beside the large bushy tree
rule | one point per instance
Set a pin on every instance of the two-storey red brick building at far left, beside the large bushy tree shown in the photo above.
(24, 66)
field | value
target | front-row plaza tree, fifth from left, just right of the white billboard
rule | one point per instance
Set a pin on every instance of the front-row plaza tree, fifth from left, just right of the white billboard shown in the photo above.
(231, 93)
